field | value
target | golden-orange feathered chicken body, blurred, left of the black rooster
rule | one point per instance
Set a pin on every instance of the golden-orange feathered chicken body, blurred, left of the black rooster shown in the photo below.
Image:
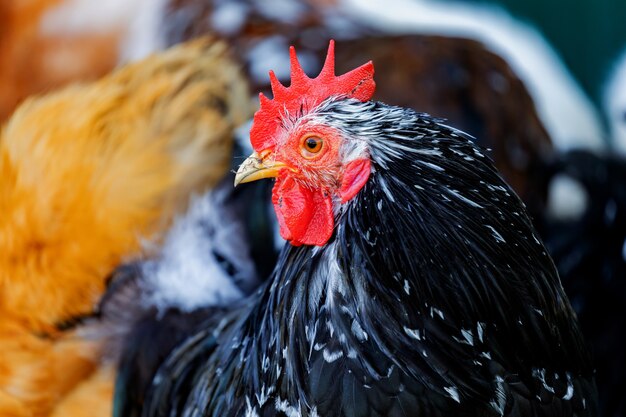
(90, 177)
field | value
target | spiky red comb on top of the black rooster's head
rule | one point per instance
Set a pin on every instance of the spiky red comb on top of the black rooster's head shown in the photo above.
(305, 93)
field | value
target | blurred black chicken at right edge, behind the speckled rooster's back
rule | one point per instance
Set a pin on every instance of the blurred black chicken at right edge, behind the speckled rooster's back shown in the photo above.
(589, 249)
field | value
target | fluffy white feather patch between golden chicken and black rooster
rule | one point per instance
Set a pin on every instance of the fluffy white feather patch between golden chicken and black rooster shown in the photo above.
(187, 274)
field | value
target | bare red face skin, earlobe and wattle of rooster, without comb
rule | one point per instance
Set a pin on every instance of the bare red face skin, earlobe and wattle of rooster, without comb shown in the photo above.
(308, 188)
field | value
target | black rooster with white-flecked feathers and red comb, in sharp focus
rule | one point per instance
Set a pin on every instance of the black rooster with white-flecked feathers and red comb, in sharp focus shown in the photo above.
(412, 283)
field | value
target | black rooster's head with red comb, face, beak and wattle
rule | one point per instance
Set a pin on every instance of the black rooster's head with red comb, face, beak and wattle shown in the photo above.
(316, 166)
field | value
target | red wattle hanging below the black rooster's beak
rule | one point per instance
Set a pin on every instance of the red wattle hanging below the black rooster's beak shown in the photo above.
(305, 217)
